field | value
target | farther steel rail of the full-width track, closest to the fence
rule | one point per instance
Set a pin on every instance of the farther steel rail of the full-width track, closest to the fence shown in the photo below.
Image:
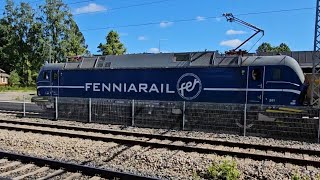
(172, 138)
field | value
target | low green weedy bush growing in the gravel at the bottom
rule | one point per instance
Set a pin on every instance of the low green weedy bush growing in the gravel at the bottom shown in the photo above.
(226, 170)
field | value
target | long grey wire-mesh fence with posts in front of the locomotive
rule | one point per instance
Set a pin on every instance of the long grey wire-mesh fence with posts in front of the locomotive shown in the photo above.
(295, 123)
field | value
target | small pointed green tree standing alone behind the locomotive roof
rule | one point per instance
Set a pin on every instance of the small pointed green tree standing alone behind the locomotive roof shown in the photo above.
(113, 45)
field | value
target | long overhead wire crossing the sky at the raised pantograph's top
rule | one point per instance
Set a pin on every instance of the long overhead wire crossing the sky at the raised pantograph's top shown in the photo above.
(195, 19)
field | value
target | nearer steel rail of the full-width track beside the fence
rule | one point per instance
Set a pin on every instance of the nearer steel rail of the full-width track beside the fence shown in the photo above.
(259, 157)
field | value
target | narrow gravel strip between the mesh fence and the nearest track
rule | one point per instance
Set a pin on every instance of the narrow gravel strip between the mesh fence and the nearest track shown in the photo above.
(194, 134)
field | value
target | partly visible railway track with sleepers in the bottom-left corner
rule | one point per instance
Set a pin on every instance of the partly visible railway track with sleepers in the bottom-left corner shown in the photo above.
(16, 167)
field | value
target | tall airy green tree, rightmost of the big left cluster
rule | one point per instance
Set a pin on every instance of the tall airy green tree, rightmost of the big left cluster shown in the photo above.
(64, 36)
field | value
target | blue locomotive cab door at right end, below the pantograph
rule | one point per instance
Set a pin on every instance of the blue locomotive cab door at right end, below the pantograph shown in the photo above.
(256, 84)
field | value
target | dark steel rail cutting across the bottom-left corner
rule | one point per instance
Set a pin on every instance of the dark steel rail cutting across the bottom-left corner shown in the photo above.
(71, 167)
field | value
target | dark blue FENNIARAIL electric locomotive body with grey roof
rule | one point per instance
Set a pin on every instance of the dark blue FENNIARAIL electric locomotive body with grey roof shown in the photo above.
(194, 76)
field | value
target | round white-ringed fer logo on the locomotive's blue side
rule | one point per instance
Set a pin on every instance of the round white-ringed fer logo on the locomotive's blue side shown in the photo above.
(189, 86)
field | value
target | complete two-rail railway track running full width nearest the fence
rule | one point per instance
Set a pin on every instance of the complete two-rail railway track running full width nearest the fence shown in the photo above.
(296, 156)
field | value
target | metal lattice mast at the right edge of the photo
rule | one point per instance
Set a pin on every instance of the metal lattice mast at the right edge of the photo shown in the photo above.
(315, 96)
